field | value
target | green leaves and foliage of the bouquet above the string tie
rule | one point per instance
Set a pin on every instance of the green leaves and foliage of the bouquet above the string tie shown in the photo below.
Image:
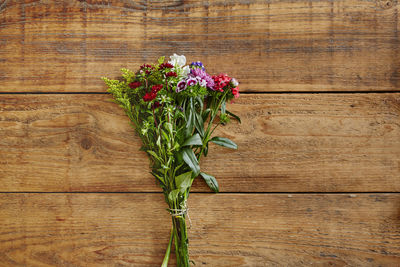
(175, 128)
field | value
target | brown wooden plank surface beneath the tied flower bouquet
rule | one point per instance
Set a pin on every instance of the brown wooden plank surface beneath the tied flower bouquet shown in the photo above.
(316, 178)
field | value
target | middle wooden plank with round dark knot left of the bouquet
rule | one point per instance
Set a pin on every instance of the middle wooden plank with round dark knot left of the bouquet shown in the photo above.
(287, 143)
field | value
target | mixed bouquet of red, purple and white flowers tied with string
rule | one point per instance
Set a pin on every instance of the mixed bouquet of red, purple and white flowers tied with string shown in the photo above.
(175, 109)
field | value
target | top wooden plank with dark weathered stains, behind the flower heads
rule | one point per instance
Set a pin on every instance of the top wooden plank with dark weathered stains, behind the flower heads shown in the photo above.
(310, 45)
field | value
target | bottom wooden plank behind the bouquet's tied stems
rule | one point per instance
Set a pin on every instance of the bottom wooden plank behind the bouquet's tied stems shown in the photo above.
(227, 230)
